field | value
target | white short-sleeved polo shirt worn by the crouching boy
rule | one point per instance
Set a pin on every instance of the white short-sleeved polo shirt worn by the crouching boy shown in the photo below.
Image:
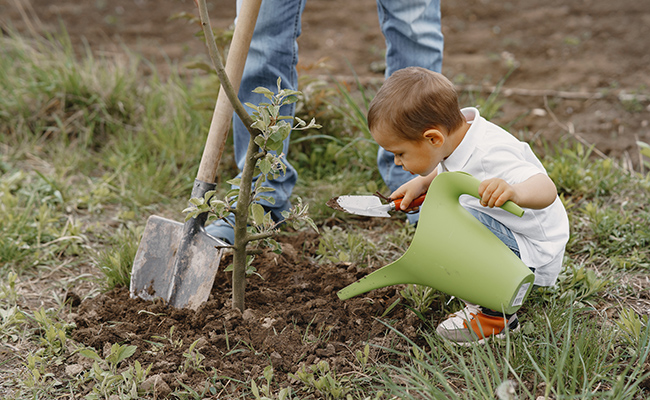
(488, 151)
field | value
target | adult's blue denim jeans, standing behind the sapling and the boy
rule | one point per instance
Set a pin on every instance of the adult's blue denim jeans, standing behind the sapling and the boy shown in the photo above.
(413, 38)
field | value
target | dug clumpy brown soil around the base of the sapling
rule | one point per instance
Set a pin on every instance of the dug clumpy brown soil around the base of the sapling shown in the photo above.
(293, 318)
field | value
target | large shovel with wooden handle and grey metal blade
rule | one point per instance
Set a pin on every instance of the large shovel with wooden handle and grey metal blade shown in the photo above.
(178, 262)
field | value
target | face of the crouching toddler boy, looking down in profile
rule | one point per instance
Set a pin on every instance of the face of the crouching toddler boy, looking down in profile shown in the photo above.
(419, 157)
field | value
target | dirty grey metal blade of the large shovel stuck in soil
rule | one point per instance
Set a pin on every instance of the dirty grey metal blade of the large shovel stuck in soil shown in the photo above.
(173, 265)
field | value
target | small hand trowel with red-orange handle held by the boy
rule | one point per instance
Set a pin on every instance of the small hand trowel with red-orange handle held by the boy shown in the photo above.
(370, 206)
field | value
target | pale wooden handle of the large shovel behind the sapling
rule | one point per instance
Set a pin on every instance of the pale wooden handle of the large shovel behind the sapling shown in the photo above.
(223, 110)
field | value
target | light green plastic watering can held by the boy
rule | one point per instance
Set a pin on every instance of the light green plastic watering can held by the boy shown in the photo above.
(453, 252)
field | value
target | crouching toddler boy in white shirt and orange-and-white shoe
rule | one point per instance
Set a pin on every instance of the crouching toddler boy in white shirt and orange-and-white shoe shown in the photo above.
(416, 116)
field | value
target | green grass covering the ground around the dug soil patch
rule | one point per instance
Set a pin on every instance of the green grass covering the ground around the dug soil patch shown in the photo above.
(91, 146)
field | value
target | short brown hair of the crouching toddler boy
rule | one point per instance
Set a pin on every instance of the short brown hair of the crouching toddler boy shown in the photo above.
(413, 100)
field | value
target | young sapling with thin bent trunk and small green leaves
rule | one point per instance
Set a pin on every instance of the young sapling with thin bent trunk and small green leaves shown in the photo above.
(268, 129)
